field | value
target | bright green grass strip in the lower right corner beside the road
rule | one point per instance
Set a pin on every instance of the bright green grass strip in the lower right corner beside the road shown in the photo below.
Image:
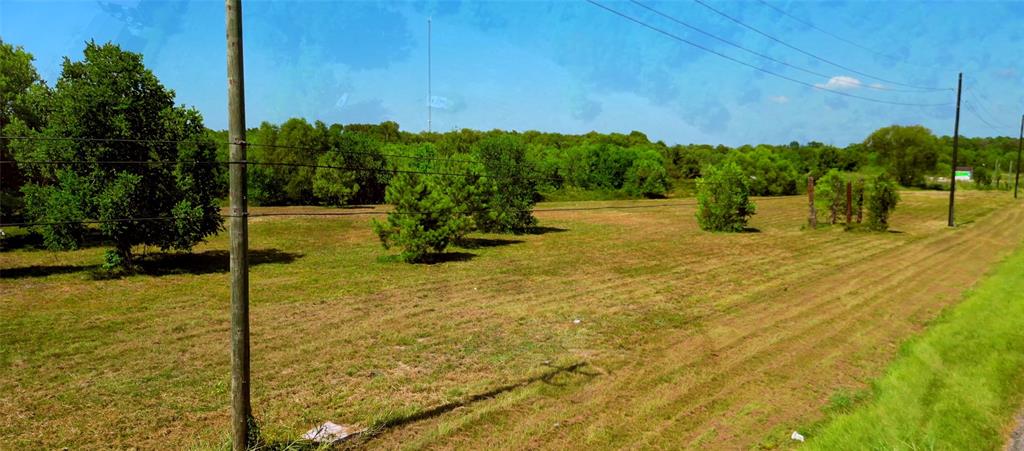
(957, 387)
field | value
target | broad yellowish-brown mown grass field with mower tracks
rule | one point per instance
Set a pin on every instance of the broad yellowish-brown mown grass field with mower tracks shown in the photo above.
(685, 338)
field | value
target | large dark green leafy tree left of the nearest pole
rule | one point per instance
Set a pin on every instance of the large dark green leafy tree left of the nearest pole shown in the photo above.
(111, 96)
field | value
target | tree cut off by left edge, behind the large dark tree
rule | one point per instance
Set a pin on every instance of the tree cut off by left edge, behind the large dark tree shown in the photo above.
(23, 97)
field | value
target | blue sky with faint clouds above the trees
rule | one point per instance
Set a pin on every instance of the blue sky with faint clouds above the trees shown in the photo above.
(566, 66)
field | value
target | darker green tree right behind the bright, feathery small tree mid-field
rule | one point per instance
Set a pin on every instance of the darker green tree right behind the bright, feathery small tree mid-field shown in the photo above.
(510, 207)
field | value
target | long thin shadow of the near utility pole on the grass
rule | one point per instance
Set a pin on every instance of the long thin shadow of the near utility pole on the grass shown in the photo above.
(362, 440)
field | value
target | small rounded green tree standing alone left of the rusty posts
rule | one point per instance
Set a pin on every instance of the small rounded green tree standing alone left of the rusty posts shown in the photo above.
(723, 199)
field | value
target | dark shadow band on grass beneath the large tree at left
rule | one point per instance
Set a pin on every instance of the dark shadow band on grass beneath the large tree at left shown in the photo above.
(210, 262)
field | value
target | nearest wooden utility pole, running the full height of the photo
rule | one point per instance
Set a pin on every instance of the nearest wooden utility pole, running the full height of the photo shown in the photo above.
(241, 408)
